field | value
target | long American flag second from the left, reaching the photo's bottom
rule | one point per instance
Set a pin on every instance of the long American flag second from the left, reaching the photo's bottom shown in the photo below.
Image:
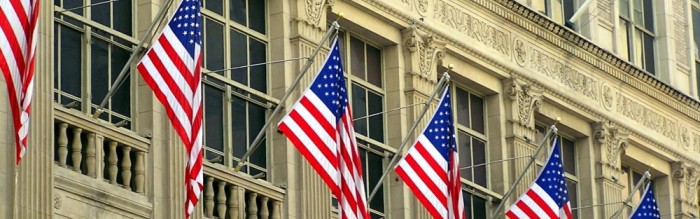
(172, 68)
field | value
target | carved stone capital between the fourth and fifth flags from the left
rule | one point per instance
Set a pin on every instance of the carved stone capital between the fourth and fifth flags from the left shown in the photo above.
(529, 99)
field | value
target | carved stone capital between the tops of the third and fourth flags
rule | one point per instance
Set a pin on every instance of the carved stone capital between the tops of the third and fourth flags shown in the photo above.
(428, 49)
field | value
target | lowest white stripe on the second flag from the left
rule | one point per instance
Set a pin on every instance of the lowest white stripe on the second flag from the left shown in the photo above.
(172, 101)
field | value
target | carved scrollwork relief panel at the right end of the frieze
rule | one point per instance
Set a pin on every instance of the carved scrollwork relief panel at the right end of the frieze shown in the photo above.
(649, 118)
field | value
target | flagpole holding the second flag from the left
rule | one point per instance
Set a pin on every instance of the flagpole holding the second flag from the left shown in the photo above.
(147, 37)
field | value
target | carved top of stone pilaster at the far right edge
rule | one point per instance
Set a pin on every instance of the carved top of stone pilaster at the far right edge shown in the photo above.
(685, 189)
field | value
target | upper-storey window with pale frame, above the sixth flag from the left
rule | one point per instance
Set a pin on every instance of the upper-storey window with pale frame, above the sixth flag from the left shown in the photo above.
(636, 35)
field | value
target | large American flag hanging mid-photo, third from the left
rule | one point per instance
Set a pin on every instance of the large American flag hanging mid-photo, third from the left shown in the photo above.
(320, 127)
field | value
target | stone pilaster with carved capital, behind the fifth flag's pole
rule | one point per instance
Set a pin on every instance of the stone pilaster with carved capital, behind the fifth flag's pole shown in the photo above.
(521, 101)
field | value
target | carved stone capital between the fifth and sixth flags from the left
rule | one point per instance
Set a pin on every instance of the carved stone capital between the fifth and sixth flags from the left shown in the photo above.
(612, 140)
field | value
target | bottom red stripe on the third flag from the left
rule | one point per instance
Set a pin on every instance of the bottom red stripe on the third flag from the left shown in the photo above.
(312, 160)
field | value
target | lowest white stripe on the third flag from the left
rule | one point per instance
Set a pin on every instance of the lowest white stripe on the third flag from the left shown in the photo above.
(310, 146)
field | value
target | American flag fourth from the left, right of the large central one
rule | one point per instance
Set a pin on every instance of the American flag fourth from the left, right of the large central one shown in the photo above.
(431, 167)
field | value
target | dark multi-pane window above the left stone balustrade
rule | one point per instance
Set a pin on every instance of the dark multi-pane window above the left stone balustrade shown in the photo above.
(92, 45)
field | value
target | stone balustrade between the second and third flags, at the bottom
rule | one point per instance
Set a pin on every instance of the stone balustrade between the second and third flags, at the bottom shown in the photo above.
(229, 194)
